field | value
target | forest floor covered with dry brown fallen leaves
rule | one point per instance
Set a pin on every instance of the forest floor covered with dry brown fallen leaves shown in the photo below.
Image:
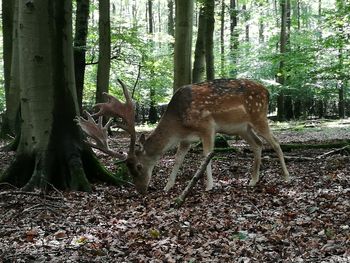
(307, 220)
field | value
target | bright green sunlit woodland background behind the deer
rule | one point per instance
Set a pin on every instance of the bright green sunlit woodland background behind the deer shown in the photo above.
(299, 49)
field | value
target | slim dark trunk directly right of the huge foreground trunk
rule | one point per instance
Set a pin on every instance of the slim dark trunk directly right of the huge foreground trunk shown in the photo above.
(81, 31)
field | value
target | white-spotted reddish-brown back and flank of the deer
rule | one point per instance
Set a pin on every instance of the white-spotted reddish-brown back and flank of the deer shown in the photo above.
(221, 101)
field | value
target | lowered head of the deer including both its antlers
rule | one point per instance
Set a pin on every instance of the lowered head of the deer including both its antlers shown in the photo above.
(136, 158)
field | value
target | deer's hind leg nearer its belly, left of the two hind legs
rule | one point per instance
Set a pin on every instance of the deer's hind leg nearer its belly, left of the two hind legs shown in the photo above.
(255, 143)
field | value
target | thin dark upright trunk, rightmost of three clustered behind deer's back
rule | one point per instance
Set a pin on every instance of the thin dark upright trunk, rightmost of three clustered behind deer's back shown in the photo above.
(209, 41)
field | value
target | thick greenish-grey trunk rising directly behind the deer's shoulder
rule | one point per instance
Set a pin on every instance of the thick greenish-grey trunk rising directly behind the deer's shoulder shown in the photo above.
(183, 43)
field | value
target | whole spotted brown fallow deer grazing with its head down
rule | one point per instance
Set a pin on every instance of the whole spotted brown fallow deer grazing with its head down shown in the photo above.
(195, 112)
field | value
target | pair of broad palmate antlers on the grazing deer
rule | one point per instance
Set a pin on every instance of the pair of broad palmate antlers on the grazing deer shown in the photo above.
(112, 108)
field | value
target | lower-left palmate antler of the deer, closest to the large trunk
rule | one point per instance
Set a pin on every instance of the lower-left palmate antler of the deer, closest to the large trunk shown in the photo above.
(98, 133)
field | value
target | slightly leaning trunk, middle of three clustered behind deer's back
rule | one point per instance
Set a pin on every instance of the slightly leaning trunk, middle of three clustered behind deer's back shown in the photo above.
(199, 53)
